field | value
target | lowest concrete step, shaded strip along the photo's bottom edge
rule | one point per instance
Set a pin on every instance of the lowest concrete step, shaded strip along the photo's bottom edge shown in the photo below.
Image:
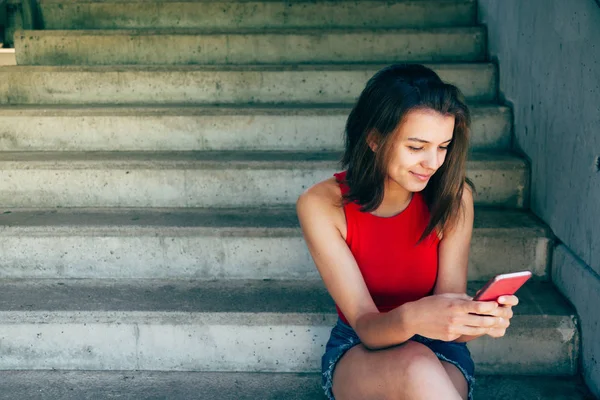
(94, 385)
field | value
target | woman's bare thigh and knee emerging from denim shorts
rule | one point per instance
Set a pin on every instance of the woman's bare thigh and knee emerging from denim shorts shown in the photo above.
(407, 372)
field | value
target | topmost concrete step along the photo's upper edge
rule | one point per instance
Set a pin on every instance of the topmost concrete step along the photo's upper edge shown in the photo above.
(102, 14)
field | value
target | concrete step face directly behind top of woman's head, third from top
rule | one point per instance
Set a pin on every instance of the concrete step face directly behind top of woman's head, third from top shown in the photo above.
(215, 84)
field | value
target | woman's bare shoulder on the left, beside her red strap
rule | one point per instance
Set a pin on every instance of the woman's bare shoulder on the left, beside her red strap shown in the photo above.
(322, 200)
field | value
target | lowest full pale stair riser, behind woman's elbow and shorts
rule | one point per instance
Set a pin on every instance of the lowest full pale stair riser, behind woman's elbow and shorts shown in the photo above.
(246, 342)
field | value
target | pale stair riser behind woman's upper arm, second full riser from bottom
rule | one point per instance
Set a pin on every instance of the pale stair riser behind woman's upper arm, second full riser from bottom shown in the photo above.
(156, 254)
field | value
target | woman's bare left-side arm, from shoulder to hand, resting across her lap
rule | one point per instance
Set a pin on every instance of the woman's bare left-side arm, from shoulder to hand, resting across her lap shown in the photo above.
(439, 317)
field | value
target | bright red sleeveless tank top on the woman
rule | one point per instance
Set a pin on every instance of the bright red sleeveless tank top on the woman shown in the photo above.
(395, 269)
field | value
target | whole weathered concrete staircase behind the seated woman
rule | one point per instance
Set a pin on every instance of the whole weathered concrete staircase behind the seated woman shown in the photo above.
(150, 155)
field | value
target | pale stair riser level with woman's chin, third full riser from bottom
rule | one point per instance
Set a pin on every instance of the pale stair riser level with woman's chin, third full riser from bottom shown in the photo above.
(230, 187)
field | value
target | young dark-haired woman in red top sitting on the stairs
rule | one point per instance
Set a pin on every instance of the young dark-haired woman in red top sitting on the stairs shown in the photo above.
(390, 237)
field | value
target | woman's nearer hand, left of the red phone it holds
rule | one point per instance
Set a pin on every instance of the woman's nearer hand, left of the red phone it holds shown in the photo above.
(448, 316)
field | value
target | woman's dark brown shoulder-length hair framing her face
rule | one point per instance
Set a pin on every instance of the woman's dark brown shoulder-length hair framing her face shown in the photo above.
(388, 97)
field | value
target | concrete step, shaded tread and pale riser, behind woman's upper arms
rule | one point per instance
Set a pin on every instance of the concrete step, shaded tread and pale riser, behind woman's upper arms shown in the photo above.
(207, 244)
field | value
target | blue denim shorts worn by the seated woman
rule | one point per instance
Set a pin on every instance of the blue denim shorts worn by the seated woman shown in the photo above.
(343, 338)
